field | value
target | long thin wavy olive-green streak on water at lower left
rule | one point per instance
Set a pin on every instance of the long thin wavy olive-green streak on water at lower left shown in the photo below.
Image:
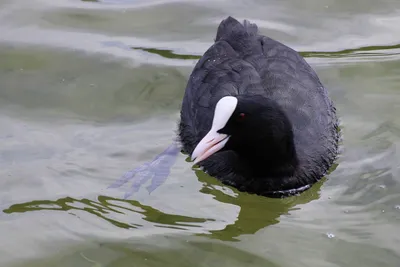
(105, 207)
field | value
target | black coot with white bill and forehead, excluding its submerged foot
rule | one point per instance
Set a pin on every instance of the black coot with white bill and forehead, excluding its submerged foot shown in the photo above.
(256, 116)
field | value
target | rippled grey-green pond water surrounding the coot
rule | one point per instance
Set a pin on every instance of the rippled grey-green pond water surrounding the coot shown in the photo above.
(90, 89)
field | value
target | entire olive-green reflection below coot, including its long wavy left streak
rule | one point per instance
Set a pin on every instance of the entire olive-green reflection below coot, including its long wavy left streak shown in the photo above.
(256, 212)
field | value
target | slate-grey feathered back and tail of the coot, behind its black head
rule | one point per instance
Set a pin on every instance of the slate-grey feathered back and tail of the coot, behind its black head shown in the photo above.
(241, 61)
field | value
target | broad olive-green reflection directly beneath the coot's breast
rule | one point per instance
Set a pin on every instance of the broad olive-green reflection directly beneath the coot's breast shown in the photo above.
(256, 212)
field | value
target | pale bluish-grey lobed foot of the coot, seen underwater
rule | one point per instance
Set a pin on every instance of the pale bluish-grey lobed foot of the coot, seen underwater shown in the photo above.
(157, 170)
